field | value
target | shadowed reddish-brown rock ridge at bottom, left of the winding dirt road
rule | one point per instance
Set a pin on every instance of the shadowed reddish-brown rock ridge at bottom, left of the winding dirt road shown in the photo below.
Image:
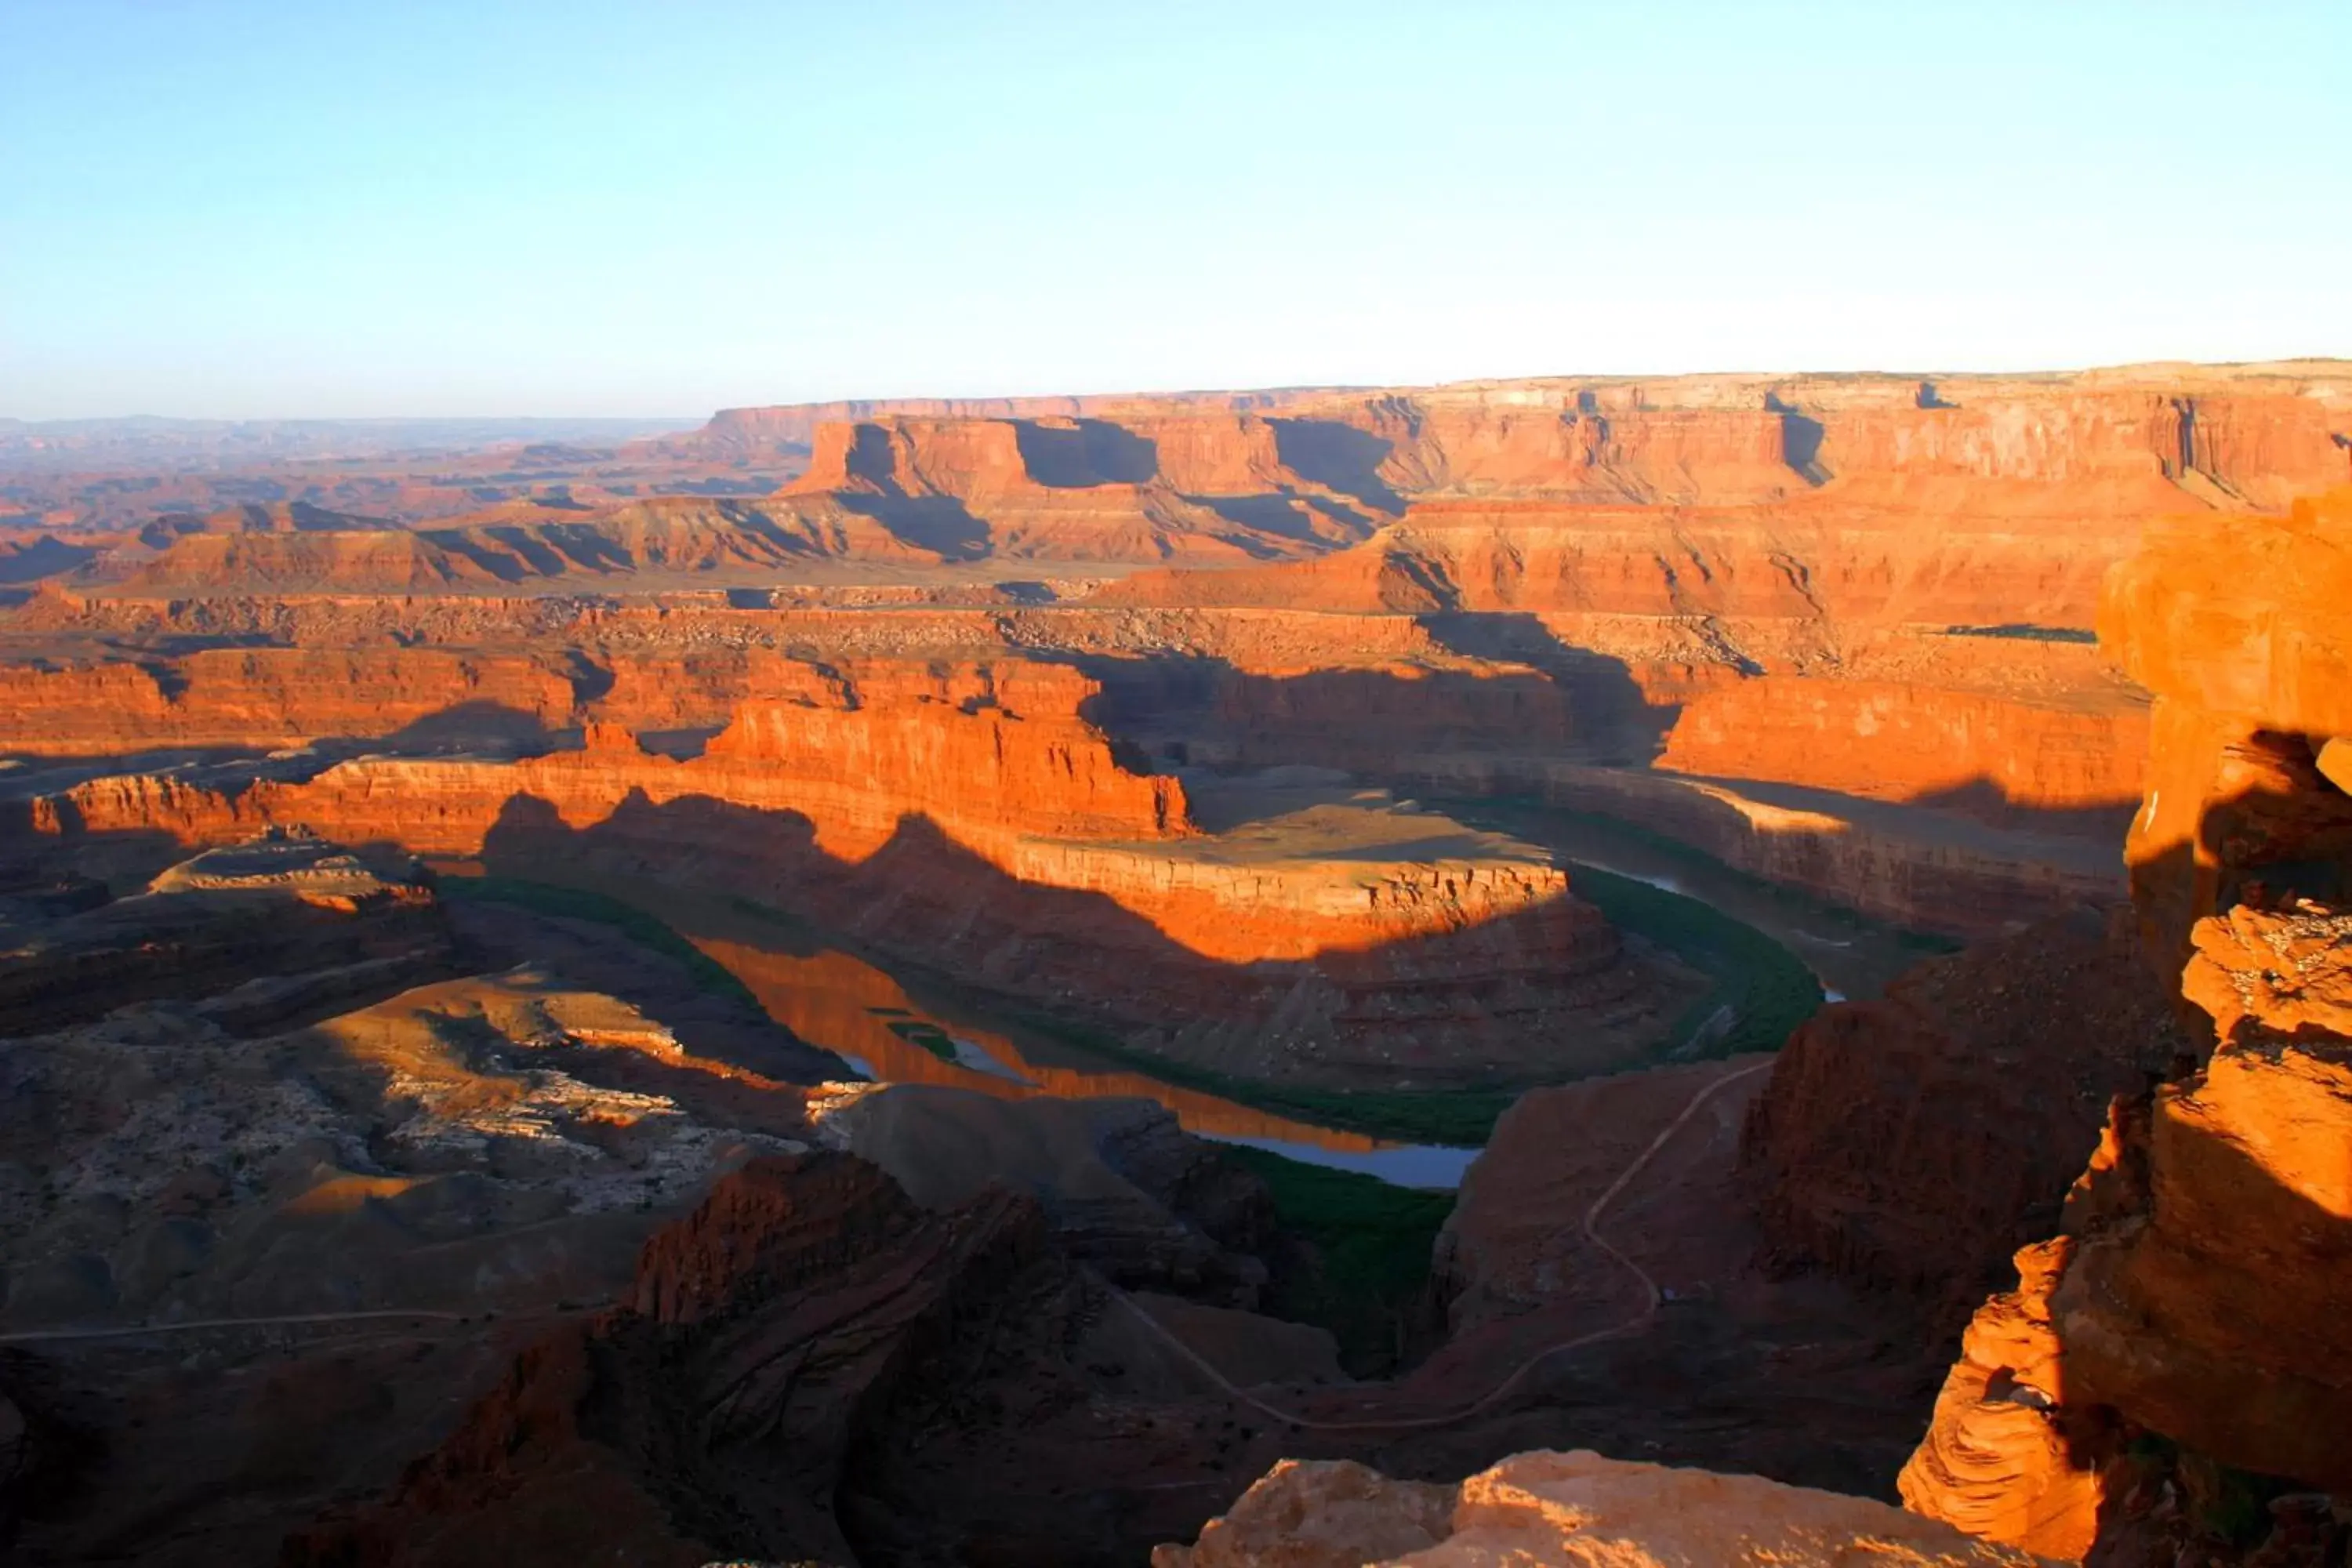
(711, 1414)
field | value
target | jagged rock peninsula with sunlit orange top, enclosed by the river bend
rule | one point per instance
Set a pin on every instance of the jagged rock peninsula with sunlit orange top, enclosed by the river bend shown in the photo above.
(968, 819)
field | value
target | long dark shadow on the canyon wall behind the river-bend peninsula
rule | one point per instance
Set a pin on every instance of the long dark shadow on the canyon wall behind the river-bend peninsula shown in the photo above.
(1575, 732)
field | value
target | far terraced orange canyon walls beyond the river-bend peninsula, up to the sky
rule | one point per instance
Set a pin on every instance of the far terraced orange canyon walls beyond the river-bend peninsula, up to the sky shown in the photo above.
(1570, 589)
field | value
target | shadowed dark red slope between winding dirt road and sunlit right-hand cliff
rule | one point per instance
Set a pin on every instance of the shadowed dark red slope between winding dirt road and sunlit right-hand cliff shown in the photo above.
(1916, 1141)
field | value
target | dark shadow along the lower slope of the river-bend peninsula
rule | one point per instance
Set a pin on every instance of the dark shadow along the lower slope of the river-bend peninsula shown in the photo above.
(923, 897)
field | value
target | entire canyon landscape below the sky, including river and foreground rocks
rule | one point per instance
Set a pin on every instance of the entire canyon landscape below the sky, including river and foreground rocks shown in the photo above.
(1603, 970)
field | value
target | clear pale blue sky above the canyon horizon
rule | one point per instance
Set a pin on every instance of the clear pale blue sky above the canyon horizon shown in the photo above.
(241, 208)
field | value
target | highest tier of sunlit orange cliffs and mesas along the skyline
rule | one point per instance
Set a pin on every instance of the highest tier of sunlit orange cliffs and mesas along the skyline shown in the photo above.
(1678, 497)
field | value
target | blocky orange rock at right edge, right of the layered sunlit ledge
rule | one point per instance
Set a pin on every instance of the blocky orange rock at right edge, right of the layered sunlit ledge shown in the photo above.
(2214, 1238)
